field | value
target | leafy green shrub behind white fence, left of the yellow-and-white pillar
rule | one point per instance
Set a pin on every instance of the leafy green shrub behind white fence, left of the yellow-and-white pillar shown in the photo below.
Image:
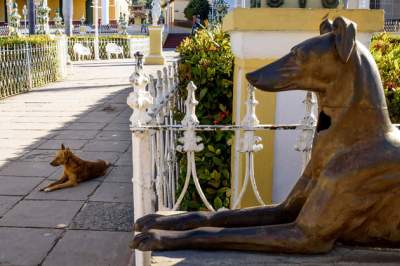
(207, 60)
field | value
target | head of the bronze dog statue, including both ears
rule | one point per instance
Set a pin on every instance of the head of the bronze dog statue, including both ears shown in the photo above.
(313, 64)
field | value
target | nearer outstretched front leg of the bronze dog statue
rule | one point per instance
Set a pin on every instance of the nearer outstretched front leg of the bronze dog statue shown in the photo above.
(286, 238)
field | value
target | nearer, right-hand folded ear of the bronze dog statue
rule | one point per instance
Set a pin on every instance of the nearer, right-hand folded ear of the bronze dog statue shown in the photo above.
(345, 37)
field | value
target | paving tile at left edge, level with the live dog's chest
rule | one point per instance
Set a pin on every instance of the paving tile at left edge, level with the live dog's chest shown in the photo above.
(30, 169)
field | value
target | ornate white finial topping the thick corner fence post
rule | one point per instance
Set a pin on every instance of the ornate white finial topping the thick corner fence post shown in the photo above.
(140, 99)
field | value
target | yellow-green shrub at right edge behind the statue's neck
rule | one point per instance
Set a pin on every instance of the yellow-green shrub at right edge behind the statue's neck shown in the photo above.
(386, 52)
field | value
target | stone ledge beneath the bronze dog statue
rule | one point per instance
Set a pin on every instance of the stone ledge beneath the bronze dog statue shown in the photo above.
(341, 255)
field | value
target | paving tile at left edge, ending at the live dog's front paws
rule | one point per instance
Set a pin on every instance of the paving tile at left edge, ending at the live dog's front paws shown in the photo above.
(15, 186)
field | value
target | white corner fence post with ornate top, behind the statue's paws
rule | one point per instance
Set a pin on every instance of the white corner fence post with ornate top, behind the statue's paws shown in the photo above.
(140, 101)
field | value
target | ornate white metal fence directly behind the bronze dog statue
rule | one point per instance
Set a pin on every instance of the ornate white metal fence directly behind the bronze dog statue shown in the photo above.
(157, 137)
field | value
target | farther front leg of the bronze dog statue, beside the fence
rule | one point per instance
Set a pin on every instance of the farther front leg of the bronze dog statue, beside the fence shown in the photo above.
(285, 212)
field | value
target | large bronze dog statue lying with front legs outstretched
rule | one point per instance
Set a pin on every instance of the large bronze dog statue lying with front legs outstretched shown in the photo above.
(350, 190)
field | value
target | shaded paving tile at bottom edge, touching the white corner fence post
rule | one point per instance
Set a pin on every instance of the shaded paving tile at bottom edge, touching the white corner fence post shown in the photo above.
(91, 248)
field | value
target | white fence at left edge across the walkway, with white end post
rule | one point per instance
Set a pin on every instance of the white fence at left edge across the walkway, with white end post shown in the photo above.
(25, 66)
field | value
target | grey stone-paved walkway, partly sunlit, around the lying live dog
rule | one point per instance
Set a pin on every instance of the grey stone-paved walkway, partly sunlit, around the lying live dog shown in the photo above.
(91, 223)
